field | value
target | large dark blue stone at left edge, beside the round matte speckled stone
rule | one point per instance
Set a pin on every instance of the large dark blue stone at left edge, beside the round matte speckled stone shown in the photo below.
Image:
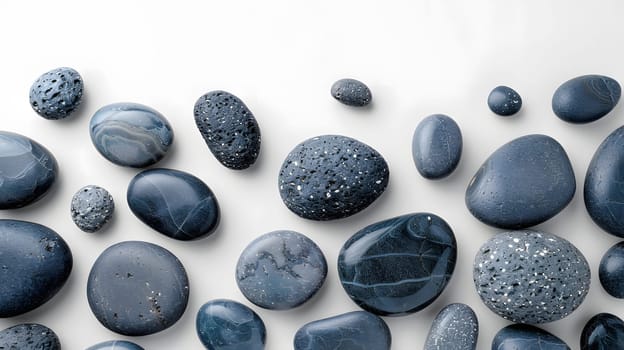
(35, 263)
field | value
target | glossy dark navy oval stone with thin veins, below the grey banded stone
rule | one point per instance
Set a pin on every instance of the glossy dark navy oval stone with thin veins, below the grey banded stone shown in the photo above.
(174, 203)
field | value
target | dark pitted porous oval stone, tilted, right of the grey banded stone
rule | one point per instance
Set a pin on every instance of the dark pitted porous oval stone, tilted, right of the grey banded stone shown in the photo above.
(229, 129)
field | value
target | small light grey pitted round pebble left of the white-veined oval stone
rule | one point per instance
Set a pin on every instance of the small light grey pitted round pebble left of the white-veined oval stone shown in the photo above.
(91, 208)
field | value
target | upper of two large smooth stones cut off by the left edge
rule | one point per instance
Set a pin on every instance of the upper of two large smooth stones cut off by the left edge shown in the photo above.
(27, 170)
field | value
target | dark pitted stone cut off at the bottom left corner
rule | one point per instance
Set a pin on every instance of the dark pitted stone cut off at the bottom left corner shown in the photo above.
(29, 336)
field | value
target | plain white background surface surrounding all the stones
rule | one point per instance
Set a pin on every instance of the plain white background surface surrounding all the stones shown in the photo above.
(281, 57)
